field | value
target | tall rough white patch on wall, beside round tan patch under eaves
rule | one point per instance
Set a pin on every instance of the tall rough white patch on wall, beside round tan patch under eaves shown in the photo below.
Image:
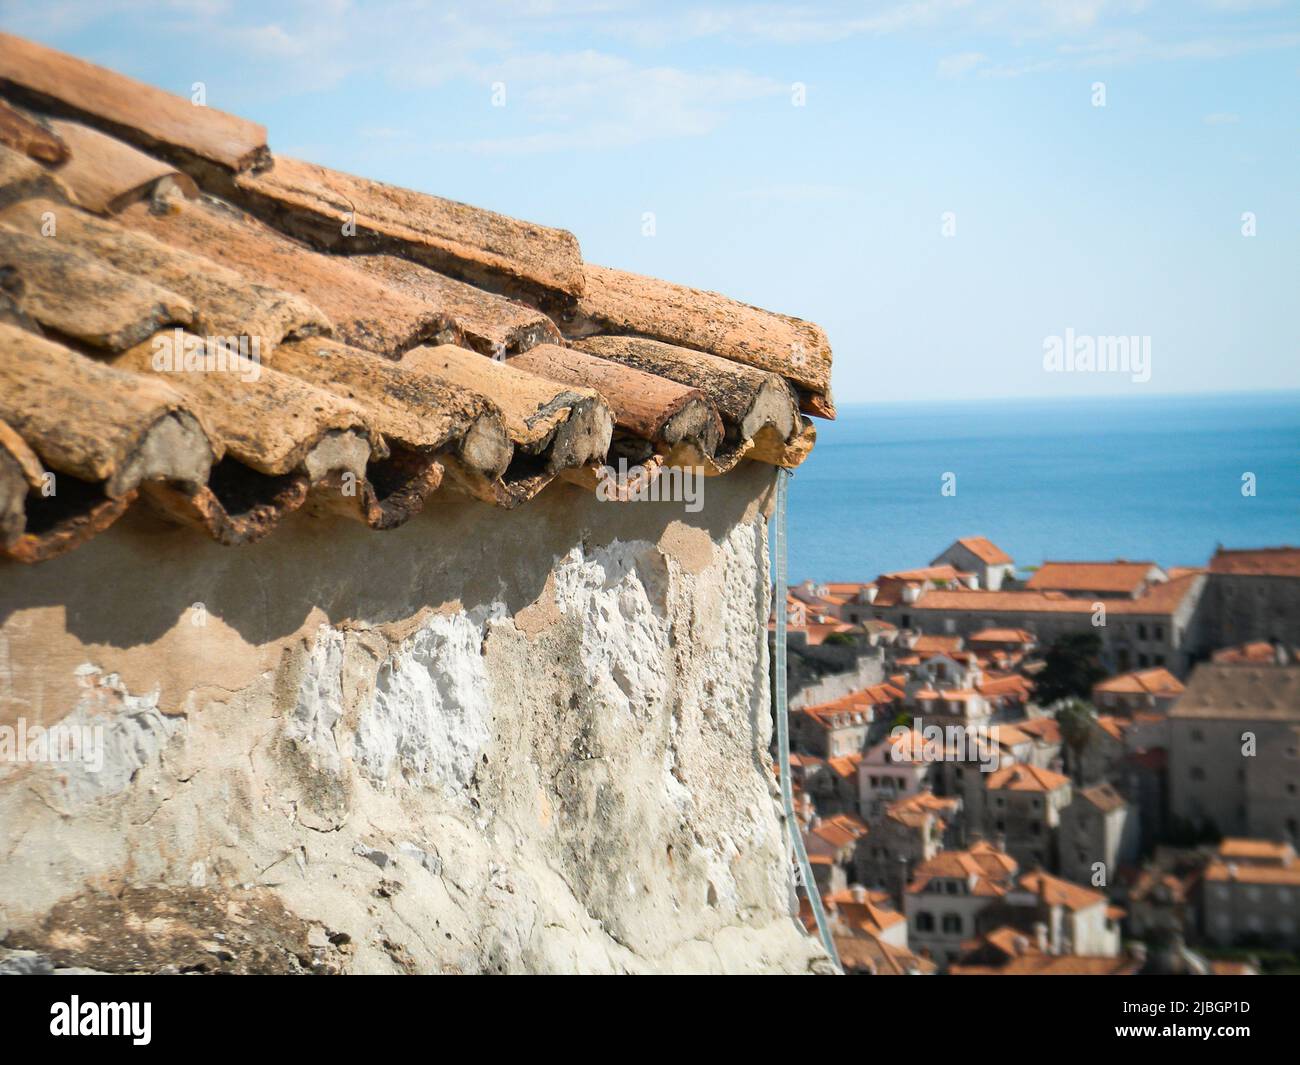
(625, 638)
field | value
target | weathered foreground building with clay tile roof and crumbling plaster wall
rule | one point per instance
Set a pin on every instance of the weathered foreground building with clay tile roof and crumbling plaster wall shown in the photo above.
(356, 625)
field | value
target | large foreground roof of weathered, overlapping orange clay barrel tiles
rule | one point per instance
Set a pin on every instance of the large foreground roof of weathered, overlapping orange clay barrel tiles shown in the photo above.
(406, 345)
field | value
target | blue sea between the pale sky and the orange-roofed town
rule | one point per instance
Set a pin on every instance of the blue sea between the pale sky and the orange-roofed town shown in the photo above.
(1158, 478)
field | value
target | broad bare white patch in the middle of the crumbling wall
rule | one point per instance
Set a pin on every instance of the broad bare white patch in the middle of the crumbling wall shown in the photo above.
(428, 722)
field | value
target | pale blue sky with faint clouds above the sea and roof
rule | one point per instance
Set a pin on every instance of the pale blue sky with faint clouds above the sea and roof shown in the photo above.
(944, 187)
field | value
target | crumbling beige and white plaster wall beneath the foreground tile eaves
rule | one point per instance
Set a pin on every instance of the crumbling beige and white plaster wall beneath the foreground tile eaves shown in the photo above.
(504, 742)
